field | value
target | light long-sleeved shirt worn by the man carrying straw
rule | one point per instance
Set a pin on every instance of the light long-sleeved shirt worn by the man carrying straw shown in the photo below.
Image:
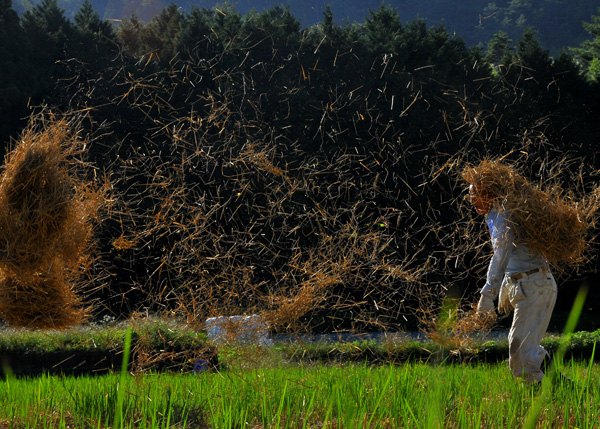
(510, 256)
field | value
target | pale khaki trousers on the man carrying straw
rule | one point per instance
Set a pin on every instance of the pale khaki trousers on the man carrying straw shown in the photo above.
(533, 298)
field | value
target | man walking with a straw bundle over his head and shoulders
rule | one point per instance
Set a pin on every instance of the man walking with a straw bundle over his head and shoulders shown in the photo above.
(529, 230)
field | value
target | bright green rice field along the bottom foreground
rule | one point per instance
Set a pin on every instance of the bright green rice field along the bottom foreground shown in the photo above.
(284, 395)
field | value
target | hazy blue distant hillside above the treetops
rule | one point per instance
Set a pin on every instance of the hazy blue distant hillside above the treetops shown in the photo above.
(557, 22)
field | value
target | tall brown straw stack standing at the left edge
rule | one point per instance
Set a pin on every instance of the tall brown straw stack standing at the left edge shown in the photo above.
(46, 216)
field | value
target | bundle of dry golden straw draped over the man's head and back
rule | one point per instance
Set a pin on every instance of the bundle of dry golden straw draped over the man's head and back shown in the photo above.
(551, 222)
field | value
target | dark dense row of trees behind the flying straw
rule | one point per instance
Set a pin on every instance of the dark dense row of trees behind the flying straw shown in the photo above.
(345, 124)
